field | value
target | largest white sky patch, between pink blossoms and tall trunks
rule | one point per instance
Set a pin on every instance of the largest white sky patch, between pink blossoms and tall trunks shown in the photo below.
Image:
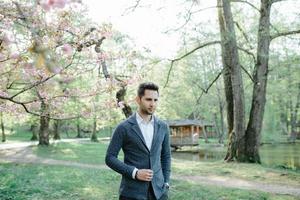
(145, 25)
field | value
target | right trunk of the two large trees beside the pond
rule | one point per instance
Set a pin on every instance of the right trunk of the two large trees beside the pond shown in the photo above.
(253, 132)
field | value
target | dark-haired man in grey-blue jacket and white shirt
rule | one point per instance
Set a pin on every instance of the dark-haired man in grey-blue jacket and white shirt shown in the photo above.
(144, 140)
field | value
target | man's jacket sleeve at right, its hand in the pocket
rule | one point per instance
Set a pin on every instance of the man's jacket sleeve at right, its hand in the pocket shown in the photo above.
(166, 156)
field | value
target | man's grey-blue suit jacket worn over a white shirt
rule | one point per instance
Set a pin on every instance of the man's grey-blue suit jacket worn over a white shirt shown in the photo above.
(128, 137)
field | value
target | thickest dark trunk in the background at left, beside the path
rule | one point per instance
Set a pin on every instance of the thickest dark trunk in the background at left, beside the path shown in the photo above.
(44, 124)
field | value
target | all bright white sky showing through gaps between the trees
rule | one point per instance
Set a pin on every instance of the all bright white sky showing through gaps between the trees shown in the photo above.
(147, 23)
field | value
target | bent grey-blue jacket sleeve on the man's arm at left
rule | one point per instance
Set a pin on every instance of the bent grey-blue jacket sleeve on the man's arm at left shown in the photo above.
(111, 158)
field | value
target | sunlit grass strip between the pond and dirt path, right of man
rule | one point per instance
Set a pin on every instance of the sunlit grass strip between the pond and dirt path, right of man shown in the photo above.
(251, 172)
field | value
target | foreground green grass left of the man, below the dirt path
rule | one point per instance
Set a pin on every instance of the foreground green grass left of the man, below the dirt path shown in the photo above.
(56, 182)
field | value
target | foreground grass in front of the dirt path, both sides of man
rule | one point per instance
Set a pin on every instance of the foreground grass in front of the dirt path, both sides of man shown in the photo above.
(22, 182)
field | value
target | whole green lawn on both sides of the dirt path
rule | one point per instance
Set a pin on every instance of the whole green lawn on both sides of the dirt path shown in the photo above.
(37, 181)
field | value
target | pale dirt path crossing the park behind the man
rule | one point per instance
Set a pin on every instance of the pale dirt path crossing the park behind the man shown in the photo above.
(25, 155)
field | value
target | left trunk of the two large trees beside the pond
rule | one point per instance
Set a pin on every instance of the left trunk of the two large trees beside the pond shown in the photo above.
(234, 91)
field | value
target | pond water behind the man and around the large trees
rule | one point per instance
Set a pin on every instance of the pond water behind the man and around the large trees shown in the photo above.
(284, 155)
